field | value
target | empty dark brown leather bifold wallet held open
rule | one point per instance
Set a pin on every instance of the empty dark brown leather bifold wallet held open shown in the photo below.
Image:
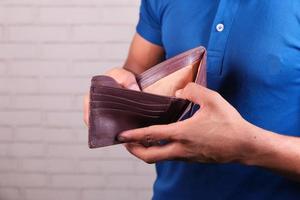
(114, 109)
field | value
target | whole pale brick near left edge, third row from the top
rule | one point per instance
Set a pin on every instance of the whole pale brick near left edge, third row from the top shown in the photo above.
(38, 33)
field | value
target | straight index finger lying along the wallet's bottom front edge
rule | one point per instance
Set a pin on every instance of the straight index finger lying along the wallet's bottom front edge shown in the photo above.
(151, 134)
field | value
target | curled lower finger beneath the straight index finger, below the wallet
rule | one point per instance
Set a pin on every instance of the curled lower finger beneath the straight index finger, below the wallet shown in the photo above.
(155, 153)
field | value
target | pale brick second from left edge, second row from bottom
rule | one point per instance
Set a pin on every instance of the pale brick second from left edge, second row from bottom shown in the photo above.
(78, 181)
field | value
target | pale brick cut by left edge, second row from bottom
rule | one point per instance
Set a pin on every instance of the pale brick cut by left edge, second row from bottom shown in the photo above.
(22, 180)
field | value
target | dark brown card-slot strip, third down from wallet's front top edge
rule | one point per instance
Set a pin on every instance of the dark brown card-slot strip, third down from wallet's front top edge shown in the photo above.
(117, 99)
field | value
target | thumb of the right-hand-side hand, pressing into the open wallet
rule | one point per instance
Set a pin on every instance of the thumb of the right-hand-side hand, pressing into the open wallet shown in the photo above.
(195, 93)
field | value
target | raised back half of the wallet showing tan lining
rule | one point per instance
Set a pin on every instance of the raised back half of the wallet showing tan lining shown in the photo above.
(166, 78)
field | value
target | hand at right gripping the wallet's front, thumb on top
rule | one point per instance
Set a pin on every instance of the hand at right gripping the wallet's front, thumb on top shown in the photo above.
(214, 134)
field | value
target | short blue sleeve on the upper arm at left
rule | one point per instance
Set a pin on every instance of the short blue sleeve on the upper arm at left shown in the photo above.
(149, 26)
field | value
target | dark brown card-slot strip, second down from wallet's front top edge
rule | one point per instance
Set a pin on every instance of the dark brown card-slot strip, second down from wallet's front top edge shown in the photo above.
(131, 94)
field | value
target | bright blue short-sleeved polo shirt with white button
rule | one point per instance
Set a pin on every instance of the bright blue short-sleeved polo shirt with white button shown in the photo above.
(254, 63)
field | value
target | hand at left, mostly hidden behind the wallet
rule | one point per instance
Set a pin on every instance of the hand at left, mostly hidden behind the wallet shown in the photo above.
(123, 77)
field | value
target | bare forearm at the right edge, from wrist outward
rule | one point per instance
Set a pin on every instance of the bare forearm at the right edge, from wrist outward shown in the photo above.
(270, 150)
